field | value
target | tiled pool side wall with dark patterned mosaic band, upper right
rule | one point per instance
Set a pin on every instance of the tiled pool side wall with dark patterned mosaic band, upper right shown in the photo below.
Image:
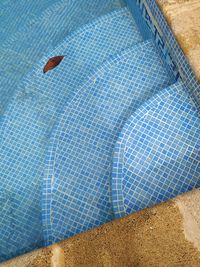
(165, 38)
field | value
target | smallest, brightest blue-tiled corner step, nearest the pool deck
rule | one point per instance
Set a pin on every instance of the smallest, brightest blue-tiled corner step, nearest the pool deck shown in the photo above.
(157, 153)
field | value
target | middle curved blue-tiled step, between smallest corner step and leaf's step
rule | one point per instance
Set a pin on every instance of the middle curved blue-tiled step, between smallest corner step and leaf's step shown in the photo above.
(78, 168)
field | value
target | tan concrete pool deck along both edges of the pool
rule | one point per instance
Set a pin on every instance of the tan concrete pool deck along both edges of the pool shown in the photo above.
(165, 235)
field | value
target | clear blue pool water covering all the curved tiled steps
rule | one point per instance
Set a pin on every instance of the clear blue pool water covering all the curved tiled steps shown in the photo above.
(108, 132)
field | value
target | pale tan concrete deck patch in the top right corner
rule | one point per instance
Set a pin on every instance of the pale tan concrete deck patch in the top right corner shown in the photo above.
(183, 16)
